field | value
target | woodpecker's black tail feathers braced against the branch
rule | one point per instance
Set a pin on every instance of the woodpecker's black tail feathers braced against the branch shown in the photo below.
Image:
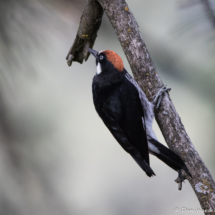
(169, 157)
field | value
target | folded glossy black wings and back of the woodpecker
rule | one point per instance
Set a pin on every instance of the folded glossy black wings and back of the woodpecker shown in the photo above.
(121, 110)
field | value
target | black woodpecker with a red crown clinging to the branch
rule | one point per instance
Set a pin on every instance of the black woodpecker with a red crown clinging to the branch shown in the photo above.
(128, 114)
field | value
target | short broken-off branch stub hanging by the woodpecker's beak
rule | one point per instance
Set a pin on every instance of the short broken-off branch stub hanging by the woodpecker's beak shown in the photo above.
(87, 32)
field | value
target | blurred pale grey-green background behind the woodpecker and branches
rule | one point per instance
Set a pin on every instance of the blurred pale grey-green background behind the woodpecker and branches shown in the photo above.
(56, 156)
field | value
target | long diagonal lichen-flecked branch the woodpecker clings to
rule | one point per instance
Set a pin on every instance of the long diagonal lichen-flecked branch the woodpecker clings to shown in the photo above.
(167, 118)
